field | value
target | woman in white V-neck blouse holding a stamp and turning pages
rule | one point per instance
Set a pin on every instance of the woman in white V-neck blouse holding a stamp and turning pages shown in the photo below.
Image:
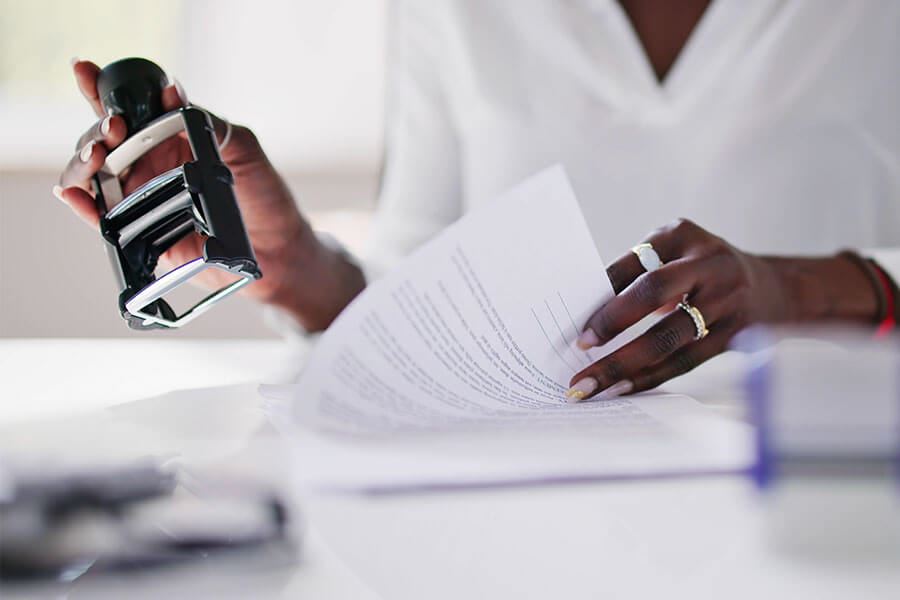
(772, 123)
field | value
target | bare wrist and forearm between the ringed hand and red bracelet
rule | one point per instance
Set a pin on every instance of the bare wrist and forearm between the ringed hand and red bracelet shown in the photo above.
(831, 288)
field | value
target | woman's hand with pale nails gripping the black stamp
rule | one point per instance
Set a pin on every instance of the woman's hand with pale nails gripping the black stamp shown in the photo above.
(299, 274)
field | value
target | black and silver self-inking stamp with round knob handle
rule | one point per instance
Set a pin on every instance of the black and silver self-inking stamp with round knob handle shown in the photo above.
(197, 196)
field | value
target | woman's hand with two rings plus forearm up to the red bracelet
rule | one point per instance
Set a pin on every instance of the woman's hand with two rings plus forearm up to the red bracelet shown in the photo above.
(730, 288)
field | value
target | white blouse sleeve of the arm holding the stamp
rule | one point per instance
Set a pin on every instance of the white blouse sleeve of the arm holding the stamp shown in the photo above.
(420, 189)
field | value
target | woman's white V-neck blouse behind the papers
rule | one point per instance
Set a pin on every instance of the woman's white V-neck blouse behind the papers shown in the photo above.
(777, 128)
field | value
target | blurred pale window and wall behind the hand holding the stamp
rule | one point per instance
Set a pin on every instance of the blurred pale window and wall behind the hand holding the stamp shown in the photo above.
(305, 75)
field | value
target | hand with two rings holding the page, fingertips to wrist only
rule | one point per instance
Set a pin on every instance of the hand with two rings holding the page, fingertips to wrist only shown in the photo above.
(698, 265)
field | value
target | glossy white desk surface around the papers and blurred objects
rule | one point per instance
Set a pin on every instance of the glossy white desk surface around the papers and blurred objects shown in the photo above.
(687, 538)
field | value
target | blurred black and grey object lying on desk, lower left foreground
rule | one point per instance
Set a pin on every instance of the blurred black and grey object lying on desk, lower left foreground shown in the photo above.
(60, 526)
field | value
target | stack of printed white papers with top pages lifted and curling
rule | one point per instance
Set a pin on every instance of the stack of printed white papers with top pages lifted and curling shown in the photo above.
(475, 333)
